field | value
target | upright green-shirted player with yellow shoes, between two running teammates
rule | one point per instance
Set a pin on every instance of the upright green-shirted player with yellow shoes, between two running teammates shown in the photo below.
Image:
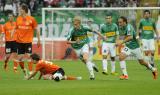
(110, 31)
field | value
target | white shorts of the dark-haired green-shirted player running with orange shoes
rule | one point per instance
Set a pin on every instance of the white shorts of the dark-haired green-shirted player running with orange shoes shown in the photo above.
(135, 52)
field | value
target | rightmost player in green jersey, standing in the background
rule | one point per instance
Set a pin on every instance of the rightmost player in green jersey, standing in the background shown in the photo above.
(147, 27)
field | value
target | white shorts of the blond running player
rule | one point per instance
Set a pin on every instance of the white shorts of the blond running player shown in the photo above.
(84, 49)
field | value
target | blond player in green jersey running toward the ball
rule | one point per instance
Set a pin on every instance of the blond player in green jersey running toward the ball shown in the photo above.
(78, 39)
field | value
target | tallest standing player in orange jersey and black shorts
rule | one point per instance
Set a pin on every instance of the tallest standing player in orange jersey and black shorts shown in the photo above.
(25, 27)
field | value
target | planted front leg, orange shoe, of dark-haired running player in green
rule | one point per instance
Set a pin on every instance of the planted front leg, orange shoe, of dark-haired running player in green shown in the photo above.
(122, 56)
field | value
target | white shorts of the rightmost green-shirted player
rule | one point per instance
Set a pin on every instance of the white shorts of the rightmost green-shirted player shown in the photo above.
(148, 44)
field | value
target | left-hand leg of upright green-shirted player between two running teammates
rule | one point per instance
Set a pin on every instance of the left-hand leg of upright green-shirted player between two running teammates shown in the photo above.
(105, 51)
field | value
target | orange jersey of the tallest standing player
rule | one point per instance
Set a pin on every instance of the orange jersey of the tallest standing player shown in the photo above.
(25, 29)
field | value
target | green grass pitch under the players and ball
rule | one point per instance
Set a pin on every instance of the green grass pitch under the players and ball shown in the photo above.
(140, 82)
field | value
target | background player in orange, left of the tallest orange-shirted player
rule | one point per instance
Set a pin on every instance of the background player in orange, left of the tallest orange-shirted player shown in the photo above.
(10, 41)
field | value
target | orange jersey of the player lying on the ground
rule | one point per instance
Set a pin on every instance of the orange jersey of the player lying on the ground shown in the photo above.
(46, 67)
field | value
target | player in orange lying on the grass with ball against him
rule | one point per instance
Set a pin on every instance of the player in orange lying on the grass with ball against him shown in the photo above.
(49, 70)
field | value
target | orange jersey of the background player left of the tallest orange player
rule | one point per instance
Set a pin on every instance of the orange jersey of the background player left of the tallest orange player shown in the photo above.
(9, 31)
